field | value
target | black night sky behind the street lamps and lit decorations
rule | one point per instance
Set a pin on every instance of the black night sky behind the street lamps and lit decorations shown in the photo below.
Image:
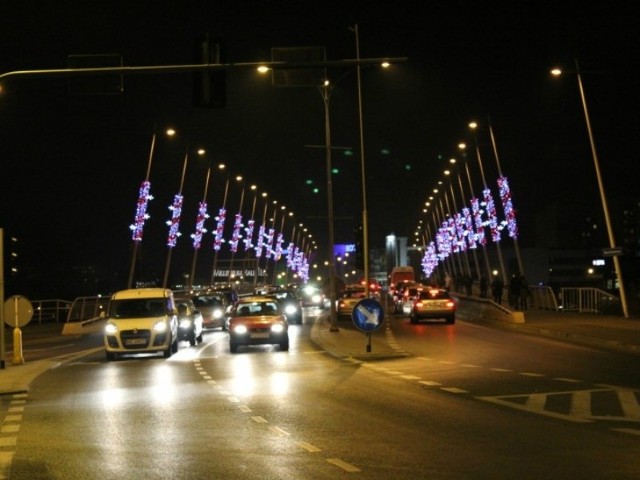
(72, 164)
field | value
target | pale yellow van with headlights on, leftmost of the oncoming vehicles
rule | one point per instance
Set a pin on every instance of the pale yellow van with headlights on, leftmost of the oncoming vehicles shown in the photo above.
(141, 320)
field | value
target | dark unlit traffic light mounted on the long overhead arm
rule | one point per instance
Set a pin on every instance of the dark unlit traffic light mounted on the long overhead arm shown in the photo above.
(209, 87)
